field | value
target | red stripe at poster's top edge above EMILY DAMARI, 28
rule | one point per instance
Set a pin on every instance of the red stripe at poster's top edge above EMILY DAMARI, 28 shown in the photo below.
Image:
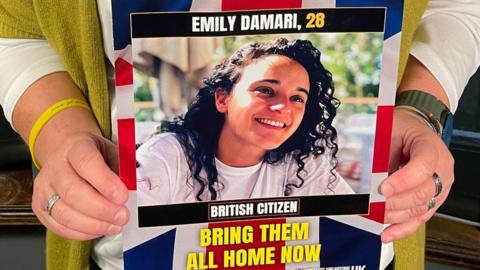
(228, 5)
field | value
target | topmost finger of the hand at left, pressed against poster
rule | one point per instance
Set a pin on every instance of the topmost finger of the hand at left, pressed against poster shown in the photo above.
(88, 162)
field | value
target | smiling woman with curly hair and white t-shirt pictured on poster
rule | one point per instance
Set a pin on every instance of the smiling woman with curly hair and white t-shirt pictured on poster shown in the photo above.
(260, 127)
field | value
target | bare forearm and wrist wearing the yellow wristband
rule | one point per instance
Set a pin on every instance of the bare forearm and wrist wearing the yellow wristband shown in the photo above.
(39, 96)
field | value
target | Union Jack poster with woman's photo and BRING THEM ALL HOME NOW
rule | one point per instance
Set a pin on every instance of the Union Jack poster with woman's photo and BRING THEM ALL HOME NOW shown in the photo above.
(255, 135)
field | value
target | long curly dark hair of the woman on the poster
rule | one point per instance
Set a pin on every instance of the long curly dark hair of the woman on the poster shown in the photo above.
(313, 136)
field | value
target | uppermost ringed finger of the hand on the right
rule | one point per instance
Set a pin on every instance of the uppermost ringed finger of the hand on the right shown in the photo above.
(418, 196)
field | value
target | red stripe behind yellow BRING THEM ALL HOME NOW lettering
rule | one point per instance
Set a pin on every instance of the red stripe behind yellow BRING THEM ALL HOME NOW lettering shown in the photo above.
(234, 240)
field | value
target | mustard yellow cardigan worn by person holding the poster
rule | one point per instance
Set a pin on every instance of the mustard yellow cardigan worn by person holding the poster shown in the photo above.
(73, 29)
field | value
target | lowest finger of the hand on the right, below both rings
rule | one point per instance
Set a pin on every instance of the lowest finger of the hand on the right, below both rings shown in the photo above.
(402, 230)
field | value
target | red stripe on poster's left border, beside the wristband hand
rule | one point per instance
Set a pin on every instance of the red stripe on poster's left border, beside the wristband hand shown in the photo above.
(126, 152)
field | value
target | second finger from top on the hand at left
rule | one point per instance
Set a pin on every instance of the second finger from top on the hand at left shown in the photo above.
(82, 197)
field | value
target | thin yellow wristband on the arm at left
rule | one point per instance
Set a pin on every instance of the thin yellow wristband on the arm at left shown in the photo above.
(47, 115)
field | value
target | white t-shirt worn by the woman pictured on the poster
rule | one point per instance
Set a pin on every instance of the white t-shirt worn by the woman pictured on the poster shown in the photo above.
(163, 176)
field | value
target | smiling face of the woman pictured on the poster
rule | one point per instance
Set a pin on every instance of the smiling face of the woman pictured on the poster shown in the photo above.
(267, 104)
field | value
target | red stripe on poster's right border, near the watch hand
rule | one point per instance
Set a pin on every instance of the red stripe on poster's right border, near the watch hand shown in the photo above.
(383, 134)
